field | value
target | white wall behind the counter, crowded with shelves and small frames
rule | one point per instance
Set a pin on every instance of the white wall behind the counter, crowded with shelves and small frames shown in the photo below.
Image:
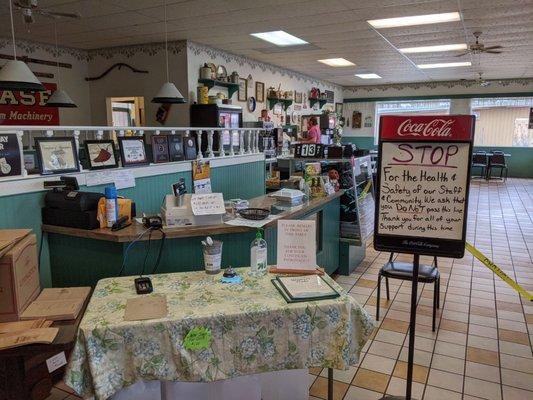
(270, 75)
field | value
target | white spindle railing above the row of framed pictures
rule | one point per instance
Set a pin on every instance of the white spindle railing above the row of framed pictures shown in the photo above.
(241, 140)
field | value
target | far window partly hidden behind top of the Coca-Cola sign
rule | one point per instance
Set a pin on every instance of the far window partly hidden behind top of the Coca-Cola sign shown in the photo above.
(410, 107)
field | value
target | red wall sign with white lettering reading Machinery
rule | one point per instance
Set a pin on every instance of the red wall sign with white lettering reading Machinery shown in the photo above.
(28, 108)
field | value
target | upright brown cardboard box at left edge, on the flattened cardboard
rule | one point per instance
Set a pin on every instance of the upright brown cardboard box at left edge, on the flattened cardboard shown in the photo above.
(19, 278)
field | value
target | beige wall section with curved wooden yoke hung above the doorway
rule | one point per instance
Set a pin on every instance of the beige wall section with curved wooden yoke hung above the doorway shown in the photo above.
(124, 83)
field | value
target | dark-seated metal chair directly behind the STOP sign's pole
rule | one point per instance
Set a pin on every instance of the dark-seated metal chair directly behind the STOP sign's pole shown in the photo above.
(404, 271)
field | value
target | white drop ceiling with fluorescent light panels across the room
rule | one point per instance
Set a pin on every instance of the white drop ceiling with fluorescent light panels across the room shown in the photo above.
(334, 28)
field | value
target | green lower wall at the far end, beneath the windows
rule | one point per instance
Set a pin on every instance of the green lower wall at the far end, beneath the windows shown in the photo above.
(520, 163)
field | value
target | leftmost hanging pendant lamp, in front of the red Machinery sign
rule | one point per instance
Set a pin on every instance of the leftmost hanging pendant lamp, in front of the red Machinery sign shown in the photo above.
(15, 74)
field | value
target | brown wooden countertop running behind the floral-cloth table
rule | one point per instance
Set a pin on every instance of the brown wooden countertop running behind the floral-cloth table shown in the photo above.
(133, 231)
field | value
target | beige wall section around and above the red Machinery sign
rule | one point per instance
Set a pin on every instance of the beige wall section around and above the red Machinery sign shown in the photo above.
(72, 80)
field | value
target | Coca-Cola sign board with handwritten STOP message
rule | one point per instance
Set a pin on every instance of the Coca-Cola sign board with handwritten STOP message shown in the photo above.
(423, 183)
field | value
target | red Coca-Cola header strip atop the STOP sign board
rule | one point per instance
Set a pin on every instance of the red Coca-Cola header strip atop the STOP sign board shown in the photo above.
(428, 128)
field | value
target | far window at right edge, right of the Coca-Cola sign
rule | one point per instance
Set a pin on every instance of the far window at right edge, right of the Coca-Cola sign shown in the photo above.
(503, 121)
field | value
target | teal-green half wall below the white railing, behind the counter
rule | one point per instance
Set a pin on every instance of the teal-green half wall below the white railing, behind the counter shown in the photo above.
(245, 180)
